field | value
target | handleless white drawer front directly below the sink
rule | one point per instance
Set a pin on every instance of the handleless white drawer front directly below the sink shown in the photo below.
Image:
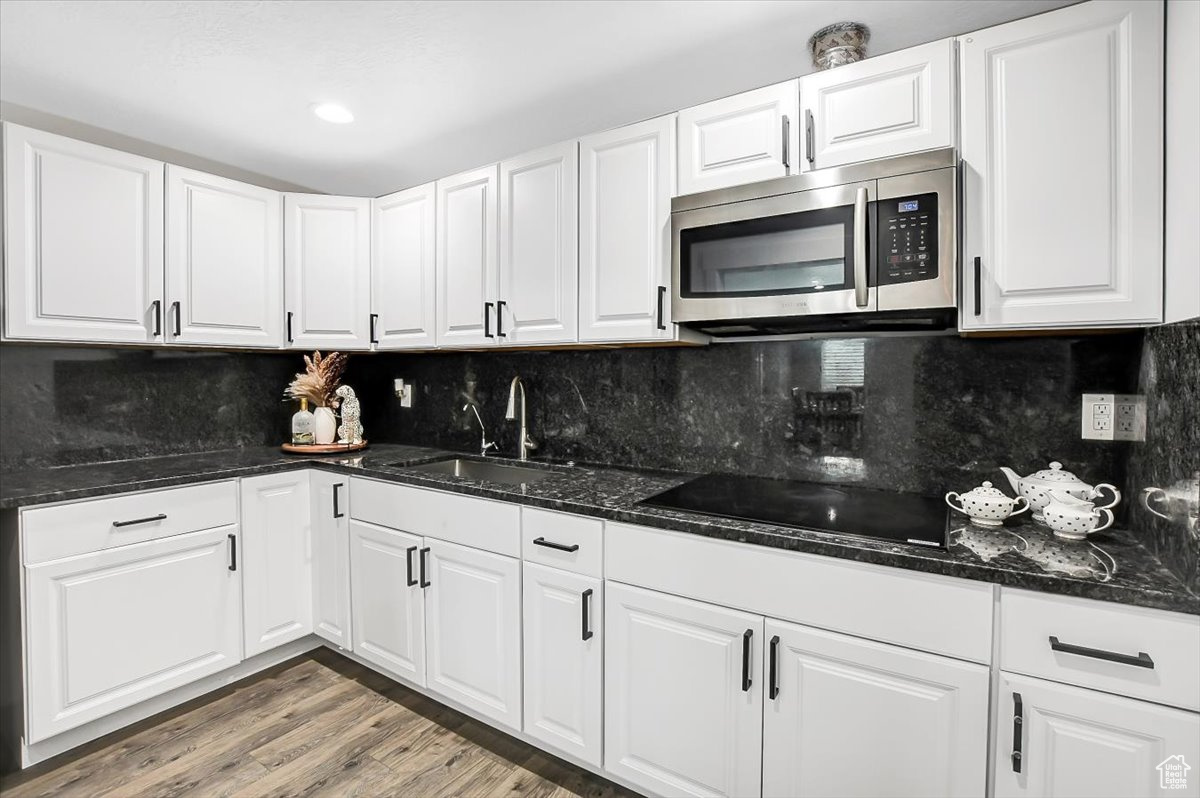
(479, 524)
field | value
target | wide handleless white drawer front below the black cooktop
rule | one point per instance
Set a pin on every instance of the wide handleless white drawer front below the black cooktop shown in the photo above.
(922, 611)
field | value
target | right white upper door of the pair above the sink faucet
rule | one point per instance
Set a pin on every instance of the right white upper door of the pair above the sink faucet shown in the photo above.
(539, 248)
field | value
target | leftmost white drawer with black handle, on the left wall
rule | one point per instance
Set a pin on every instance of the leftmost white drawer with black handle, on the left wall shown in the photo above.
(82, 527)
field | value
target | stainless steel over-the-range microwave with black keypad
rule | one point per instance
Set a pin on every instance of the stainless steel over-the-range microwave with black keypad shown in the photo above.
(867, 247)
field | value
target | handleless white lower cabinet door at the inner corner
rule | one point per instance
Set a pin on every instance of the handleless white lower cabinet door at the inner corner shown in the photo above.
(277, 560)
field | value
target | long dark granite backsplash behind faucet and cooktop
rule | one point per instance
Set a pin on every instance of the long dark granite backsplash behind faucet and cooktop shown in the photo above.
(923, 415)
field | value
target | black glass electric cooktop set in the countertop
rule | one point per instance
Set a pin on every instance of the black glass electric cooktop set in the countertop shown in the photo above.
(885, 515)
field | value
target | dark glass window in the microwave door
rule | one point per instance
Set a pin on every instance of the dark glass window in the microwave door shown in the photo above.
(795, 257)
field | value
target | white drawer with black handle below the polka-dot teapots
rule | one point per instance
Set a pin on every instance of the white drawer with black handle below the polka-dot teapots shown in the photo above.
(1157, 653)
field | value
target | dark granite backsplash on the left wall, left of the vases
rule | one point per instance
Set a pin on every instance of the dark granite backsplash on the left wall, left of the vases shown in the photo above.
(80, 405)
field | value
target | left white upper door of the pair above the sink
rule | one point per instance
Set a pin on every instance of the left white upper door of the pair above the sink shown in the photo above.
(467, 275)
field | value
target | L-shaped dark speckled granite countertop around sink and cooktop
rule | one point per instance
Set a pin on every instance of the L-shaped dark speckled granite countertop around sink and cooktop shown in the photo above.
(1109, 567)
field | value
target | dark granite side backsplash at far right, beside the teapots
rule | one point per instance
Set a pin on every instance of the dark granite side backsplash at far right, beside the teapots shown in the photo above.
(1171, 380)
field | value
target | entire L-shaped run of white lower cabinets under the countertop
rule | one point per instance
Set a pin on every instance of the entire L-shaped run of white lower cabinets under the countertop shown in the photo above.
(670, 663)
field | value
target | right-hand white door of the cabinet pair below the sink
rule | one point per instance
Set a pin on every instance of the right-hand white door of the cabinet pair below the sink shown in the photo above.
(473, 629)
